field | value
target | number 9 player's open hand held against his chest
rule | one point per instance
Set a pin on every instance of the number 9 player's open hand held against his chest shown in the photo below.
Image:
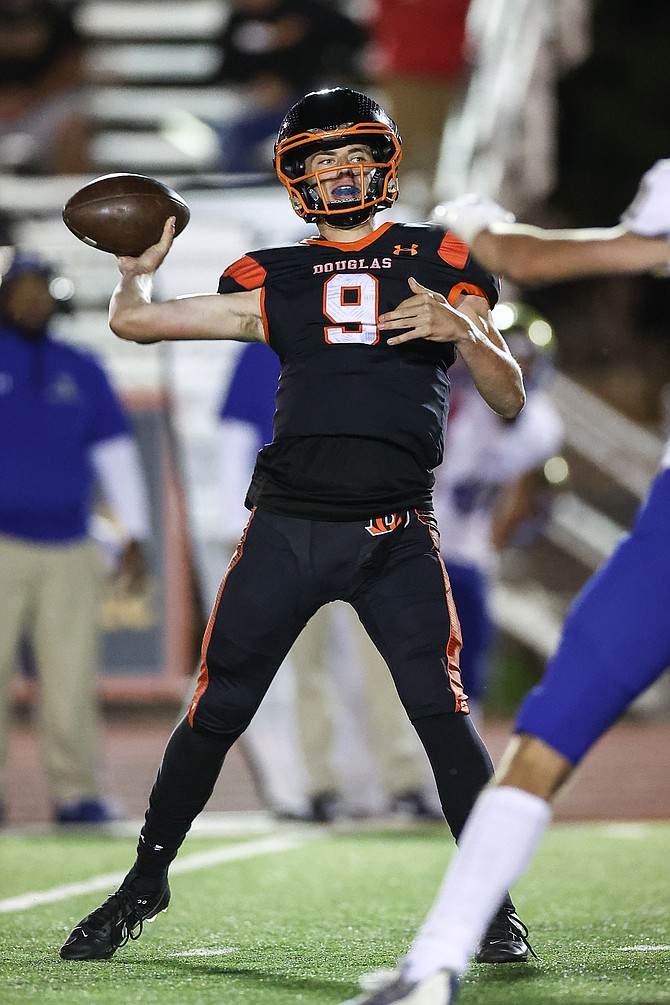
(427, 315)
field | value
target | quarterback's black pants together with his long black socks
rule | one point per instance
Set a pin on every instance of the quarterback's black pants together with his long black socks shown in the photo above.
(285, 569)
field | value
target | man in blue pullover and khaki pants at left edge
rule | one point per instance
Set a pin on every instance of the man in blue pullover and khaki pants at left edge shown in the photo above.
(61, 424)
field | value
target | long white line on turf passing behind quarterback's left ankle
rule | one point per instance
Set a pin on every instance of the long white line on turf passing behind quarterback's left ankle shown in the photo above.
(190, 864)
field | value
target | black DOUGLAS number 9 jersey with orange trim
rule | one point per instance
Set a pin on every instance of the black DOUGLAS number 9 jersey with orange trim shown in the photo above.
(321, 304)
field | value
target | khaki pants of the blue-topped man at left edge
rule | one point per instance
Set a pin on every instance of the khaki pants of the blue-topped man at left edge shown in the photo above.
(51, 594)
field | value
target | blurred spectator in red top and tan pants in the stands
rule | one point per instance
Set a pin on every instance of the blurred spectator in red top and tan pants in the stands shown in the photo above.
(418, 59)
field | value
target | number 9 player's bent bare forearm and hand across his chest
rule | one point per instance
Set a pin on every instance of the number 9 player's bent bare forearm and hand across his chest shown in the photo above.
(428, 315)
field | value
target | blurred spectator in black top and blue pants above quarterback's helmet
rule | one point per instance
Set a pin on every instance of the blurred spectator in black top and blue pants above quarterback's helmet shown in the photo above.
(276, 51)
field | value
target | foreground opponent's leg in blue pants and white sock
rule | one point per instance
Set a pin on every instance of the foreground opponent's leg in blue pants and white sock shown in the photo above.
(615, 645)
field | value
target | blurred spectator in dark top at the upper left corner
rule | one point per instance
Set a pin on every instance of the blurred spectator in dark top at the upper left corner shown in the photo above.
(44, 126)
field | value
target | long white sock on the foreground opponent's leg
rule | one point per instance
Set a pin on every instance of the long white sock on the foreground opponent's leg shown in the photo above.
(497, 846)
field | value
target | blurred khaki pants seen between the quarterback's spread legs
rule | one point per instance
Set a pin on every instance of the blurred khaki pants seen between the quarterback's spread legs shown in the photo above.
(394, 744)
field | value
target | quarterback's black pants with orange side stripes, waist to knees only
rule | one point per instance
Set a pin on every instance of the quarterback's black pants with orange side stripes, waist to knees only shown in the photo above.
(287, 568)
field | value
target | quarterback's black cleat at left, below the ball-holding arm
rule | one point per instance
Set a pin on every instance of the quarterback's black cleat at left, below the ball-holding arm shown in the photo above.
(120, 919)
